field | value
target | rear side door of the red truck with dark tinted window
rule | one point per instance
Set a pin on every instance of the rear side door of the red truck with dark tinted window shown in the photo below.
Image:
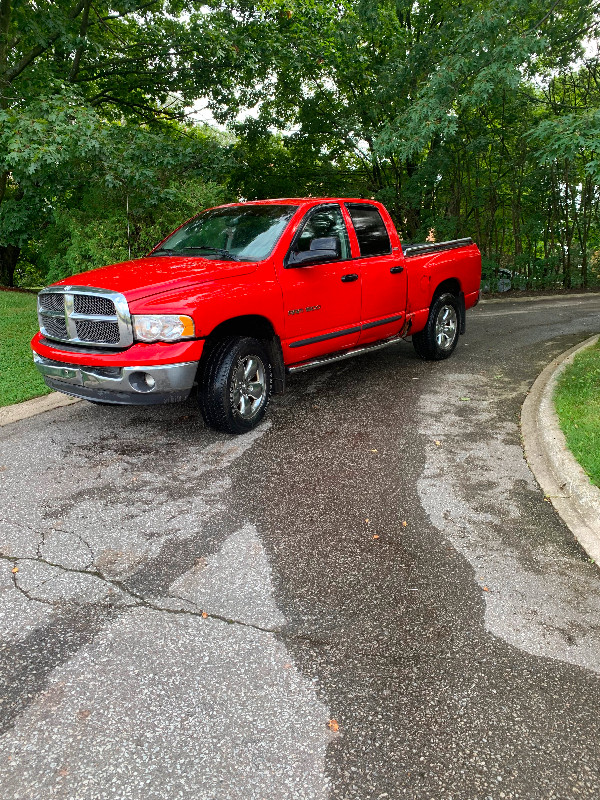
(383, 275)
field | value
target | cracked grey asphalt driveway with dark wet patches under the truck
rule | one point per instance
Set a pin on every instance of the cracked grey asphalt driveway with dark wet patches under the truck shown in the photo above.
(191, 609)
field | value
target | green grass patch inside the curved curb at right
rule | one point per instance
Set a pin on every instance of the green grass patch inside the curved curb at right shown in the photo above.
(577, 402)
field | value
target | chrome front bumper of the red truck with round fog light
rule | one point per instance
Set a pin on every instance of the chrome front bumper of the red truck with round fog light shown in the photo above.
(144, 385)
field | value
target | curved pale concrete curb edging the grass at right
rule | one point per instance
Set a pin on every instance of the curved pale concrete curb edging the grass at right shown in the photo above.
(562, 479)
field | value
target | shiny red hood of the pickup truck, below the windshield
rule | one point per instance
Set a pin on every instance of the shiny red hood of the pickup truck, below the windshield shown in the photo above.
(143, 277)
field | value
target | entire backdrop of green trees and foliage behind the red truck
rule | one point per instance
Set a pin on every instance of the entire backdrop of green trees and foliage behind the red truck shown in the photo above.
(479, 118)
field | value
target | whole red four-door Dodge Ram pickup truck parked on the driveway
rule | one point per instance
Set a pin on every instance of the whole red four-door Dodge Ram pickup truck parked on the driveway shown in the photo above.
(245, 294)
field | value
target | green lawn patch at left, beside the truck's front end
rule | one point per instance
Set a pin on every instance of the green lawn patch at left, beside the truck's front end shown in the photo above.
(19, 379)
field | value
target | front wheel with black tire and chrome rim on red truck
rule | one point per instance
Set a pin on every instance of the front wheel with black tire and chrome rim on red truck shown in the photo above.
(229, 399)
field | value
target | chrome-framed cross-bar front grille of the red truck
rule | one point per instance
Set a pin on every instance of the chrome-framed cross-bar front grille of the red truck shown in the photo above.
(85, 315)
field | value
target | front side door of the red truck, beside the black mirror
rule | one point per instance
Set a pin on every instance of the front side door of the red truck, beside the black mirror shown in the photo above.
(321, 294)
